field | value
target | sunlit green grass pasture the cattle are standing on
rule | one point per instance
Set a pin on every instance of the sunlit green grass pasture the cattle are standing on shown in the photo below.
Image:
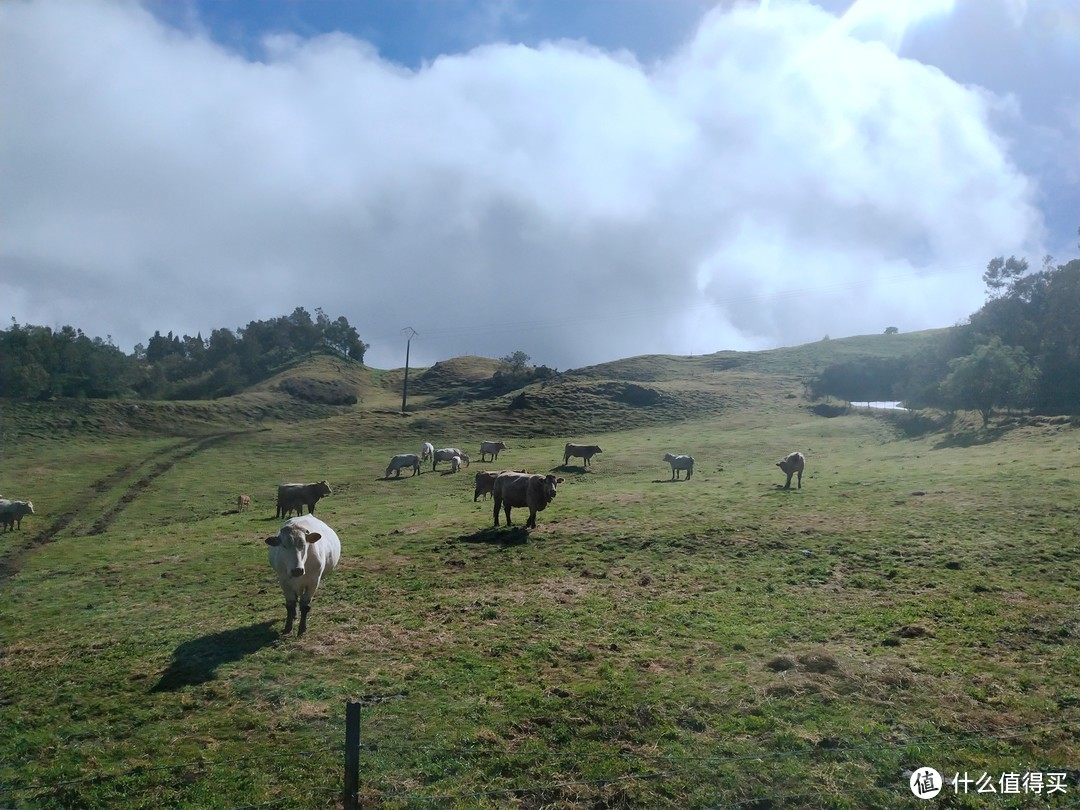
(712, 643)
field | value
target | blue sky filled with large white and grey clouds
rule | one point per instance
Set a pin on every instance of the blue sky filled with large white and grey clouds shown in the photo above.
(580, 182)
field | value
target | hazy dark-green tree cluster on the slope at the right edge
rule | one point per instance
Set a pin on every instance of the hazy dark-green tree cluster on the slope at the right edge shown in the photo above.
(1020, 350)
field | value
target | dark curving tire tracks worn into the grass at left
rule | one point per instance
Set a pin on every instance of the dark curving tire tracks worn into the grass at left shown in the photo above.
(159, 464)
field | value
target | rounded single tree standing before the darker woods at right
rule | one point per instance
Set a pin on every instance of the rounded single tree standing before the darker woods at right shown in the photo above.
(994, 375)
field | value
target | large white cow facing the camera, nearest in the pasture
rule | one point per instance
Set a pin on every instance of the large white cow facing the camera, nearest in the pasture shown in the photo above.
(303, 552)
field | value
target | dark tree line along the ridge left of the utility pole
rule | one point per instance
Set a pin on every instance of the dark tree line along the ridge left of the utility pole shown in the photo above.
(42, 363)
